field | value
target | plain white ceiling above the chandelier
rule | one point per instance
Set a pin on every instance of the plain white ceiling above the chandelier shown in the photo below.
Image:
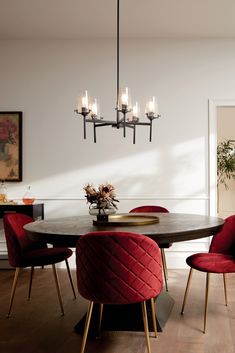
(72, 19)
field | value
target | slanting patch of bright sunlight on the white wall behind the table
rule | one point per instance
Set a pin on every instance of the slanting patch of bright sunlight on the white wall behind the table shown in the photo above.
(135, 177)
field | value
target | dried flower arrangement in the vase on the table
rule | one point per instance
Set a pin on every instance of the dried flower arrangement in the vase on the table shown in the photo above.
(103, 198)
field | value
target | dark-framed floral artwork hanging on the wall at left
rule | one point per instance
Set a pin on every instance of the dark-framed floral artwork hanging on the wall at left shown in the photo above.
(11, 146)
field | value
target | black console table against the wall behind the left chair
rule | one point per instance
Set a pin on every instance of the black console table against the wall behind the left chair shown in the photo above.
(36, 211)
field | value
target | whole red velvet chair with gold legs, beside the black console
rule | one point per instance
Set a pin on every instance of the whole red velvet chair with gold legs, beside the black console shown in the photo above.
(23, 252)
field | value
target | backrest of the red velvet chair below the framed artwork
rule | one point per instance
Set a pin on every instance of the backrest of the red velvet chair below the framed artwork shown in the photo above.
(17, 241)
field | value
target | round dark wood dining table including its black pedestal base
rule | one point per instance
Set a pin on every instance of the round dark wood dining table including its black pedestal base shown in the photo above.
(169, 228)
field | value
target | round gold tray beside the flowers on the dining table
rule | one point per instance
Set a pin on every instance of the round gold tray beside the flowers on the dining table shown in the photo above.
(127, 220)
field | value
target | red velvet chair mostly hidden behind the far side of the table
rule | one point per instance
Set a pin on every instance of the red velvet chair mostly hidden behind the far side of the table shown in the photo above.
(158, 209)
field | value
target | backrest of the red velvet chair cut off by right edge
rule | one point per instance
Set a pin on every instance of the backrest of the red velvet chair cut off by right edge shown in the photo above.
(224, 241)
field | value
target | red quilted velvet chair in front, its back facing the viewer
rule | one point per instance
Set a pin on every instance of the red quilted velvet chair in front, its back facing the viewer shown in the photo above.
(118, 268)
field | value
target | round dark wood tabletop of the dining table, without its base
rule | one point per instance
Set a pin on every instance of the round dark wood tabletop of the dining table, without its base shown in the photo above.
(172, 227)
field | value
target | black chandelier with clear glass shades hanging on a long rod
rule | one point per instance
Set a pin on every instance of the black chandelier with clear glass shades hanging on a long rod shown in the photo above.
(127, 116)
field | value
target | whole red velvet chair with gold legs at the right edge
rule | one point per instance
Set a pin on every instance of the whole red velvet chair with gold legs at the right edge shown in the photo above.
(219, 259)
